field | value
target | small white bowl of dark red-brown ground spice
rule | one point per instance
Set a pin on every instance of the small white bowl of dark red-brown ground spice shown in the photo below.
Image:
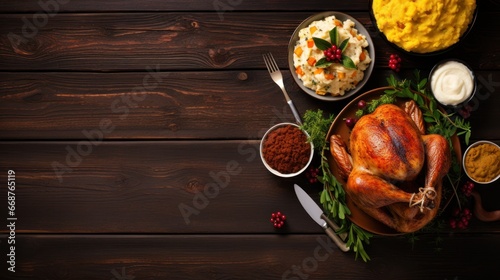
(285, 150)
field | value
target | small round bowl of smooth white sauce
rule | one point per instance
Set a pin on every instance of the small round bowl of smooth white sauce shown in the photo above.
(452, 83)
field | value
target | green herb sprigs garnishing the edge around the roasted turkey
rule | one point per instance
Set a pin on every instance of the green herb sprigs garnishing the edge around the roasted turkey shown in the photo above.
(333, 197)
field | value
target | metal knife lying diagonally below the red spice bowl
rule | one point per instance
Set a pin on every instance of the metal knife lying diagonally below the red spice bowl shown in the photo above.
(319, 217)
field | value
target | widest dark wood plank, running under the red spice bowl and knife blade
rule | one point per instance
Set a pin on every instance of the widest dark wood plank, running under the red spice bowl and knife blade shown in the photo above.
(141, 187)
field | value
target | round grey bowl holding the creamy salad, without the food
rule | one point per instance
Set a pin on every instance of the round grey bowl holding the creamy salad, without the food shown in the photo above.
(295, 37)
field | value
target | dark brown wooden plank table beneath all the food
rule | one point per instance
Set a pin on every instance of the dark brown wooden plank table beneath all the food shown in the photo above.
(118, 117)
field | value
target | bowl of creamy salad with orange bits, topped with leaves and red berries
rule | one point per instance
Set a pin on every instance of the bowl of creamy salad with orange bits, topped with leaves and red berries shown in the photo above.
(331, 56)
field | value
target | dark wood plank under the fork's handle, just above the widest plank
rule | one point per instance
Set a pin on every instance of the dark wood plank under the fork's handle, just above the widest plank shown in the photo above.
(177, 105)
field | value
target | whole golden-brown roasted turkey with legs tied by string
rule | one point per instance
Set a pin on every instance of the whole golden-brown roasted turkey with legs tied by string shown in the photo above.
(392, 169)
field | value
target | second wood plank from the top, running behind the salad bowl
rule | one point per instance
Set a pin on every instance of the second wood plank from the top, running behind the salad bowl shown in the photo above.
(194, 41)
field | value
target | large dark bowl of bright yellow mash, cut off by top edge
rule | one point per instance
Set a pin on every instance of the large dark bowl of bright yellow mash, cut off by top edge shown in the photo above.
(423, 27)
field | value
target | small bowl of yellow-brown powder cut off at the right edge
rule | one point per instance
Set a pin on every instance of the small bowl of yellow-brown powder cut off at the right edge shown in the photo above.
(481, 162)
